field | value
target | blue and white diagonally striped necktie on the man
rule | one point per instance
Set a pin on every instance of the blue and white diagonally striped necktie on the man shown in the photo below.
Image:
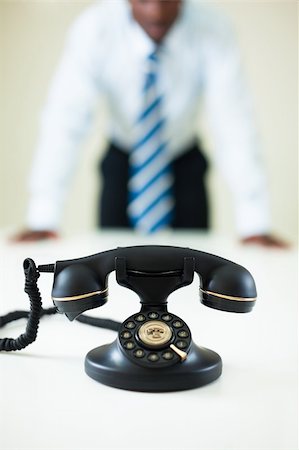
(150, 203)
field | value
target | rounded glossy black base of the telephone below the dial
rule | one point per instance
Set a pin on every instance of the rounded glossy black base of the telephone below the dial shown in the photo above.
(108, 365)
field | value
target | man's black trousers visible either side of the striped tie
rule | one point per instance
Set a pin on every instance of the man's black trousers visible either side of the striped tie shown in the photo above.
(191, 203)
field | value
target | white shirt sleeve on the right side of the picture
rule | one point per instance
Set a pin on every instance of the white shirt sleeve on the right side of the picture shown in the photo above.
(234, 132)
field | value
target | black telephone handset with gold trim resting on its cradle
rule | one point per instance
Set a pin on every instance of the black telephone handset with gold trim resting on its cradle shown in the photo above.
(153, 272)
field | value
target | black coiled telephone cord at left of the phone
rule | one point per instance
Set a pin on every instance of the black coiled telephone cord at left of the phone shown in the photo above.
(36, 312)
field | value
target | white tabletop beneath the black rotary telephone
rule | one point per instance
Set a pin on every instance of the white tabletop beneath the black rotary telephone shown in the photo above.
(47, 401)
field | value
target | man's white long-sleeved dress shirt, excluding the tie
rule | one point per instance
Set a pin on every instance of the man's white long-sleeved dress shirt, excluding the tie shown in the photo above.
(105, 55)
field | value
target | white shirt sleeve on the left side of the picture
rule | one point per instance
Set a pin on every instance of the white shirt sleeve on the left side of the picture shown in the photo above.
(65, 121)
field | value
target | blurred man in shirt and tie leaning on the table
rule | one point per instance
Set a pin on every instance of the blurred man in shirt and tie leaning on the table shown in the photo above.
(155, 62)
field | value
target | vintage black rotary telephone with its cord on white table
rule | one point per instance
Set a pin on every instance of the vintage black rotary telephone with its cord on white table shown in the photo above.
(154, 350)
